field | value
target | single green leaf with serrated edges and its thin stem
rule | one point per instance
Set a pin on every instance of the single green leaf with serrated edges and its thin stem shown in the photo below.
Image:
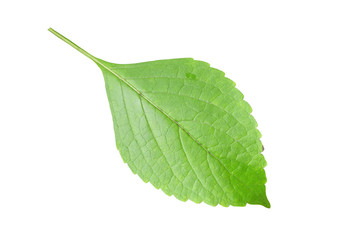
(184, 127)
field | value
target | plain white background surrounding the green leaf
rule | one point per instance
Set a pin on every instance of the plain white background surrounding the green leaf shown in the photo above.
(297, 63)
